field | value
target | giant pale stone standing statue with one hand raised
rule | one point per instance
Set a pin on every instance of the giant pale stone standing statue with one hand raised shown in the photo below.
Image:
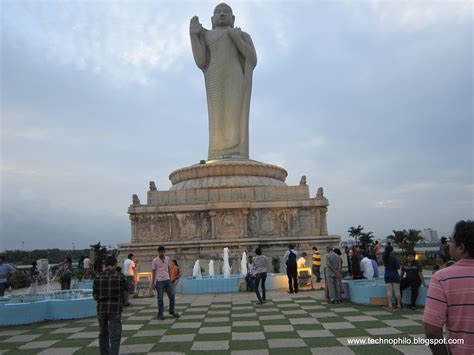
(227, 57)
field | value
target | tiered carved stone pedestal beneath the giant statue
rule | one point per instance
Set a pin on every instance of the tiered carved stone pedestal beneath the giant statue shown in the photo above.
(240, 204)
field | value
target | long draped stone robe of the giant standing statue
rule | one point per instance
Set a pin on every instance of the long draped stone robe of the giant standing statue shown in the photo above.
(228, 77)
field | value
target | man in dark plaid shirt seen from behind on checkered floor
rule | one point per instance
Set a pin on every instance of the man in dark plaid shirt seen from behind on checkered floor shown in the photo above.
(109, 290)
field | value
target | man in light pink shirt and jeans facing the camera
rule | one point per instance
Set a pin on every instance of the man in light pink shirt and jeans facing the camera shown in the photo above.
(161, 282)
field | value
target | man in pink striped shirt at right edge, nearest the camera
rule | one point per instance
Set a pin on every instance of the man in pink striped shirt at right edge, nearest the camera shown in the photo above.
(449, 303)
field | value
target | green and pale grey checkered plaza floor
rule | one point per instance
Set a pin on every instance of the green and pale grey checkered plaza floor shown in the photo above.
(230, 324)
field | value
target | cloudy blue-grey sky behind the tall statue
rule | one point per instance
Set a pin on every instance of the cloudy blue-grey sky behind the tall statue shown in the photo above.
(372, 100)
